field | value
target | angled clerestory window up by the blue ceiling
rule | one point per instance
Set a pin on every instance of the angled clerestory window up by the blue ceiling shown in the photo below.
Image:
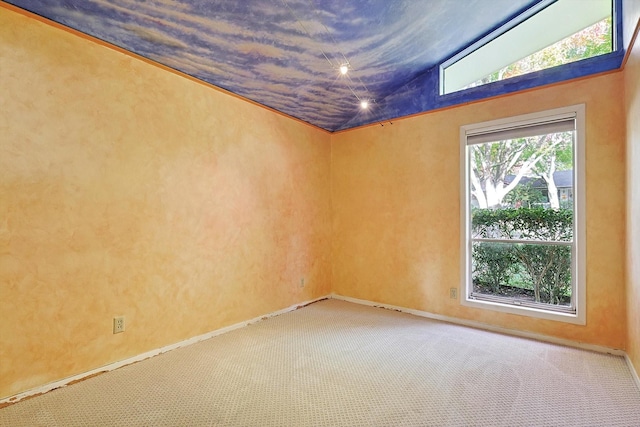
(547, 35)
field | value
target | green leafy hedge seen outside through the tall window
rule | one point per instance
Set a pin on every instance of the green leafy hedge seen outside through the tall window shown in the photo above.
(543, 269)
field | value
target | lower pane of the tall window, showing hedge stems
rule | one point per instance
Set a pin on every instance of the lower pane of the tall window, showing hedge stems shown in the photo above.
(522, 273)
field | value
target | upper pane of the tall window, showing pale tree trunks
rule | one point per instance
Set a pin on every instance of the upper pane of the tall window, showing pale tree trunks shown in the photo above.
(522, 188)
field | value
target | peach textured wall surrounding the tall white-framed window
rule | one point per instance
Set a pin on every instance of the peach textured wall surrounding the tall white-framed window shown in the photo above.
(396, 217)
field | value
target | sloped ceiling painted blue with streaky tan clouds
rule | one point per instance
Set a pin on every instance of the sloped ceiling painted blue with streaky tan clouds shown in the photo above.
(285, 54)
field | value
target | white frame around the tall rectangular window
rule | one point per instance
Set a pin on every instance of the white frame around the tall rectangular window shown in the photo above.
(579, 241)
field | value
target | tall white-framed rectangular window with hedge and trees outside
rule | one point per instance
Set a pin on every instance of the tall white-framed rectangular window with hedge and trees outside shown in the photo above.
(522, 219)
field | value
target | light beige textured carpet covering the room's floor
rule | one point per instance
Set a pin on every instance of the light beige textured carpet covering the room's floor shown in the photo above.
(335, 363)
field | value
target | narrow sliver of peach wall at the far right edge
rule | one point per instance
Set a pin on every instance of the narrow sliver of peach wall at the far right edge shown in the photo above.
(632, 97)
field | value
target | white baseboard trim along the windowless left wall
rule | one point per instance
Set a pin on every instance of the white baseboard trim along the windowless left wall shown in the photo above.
(112, 366)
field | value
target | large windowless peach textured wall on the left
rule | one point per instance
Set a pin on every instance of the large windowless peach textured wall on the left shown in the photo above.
(129, 190)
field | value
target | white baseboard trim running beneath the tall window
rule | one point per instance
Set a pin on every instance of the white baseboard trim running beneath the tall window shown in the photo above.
(487, 327)
